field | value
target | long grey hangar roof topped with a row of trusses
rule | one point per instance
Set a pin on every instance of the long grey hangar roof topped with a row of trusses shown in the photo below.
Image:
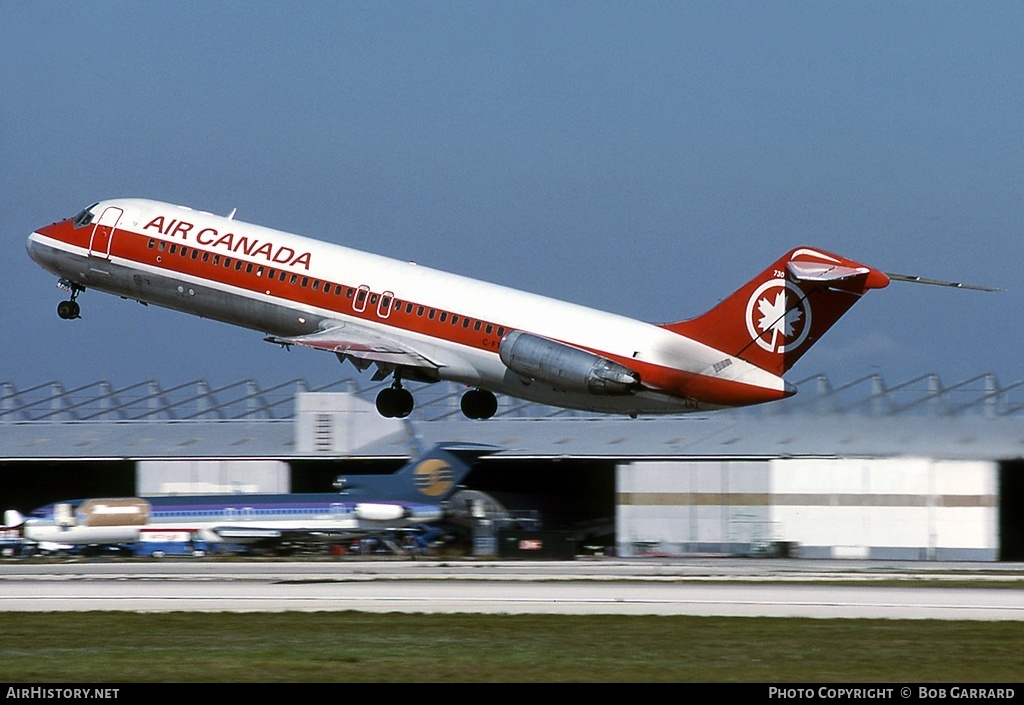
(975, 420)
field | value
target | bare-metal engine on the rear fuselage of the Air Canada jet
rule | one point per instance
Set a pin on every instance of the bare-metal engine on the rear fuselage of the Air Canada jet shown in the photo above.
(564, 367)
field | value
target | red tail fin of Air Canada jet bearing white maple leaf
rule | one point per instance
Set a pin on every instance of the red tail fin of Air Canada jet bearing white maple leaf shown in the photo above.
(775, 319)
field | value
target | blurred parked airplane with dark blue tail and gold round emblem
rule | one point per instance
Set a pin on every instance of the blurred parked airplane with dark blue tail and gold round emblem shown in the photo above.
(363, 505)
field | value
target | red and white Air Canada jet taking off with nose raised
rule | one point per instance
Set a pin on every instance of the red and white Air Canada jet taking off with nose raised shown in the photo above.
(419, 324)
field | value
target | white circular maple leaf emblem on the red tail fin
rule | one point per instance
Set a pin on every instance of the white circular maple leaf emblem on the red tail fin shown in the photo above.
(779, 316)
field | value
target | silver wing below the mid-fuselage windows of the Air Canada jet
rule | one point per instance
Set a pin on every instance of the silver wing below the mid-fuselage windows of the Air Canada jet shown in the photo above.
(363, 347)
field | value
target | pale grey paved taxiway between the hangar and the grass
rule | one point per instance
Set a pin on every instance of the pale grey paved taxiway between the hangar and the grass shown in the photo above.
(719, 588)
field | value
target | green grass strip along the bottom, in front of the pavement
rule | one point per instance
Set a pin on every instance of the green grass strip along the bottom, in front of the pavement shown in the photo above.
(348, 647)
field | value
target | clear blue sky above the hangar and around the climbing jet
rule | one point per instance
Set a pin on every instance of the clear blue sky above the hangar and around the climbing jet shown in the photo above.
(646, 158)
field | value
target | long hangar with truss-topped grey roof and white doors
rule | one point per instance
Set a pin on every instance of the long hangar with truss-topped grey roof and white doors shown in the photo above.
(916, 471)
